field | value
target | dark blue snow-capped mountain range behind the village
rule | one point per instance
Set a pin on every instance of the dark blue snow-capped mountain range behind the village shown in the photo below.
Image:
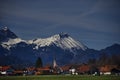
(62, 47)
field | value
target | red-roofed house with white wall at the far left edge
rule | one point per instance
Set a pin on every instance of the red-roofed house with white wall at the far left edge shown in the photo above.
(6, 70)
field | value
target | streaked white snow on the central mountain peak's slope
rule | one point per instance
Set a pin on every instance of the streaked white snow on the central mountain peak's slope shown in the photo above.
(63, 41)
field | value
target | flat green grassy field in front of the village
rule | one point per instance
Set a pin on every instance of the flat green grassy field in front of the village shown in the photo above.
(59, 77)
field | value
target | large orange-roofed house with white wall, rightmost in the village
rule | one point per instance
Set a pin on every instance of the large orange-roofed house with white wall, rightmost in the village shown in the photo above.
(106, 69)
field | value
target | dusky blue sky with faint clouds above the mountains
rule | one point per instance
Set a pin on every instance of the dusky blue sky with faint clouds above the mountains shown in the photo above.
(96, 23)
